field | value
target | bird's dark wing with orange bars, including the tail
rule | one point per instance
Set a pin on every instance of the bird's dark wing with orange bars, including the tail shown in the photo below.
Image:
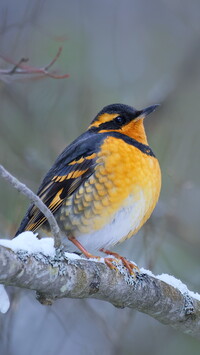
(75, 164)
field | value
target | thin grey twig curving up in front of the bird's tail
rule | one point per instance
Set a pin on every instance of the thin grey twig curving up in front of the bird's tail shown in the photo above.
(37, 201)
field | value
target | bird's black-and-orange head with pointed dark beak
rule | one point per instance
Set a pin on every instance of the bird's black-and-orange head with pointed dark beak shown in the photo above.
(124, 119)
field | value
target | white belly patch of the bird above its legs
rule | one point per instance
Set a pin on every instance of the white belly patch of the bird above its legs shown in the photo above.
(125, 220)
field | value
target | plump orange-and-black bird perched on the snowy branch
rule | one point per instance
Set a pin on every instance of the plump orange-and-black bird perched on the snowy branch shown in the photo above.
(104, 185)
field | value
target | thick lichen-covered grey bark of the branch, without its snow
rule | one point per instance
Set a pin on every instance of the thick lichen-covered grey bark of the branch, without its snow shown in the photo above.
(60, 277)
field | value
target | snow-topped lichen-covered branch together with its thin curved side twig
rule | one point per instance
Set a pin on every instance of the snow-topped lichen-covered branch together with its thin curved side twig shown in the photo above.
(34, 264)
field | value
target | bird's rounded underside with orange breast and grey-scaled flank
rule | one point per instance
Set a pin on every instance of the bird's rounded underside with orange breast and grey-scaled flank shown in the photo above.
(125, 178)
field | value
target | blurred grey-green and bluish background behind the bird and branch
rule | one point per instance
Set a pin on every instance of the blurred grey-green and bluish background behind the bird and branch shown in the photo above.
(135, 52)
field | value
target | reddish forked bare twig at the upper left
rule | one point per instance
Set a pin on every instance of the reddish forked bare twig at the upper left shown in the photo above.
(19, 69)
